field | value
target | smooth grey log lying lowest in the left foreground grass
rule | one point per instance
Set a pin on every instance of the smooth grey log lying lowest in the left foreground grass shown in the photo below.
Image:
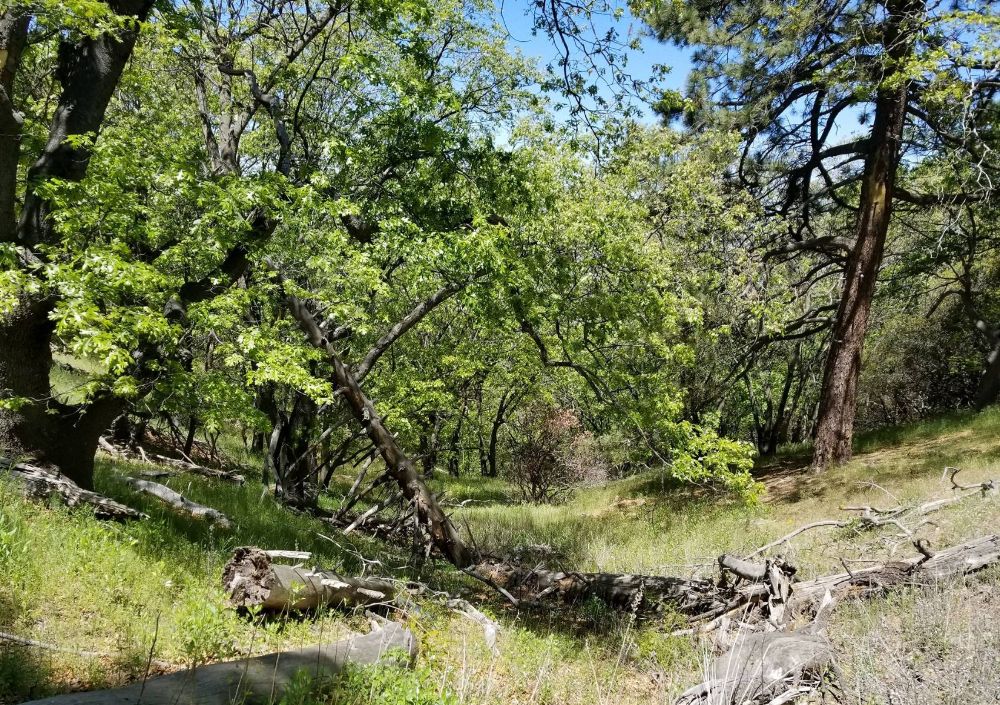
(262, 679)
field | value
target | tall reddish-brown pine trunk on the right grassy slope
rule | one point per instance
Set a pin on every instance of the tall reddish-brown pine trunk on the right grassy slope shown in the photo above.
(835, 429)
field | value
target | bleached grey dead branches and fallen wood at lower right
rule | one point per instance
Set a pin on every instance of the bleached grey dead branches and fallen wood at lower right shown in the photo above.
(769, 661)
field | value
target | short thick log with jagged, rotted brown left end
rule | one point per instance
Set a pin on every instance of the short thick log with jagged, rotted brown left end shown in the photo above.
(251, 579)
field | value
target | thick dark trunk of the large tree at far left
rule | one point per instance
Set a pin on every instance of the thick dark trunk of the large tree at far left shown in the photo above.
(88, 71)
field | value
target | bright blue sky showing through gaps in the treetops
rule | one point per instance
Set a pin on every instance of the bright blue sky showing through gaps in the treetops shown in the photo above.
(640, 63)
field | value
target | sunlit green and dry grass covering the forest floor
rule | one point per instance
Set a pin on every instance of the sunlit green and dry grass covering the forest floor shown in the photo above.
(146, 588)
